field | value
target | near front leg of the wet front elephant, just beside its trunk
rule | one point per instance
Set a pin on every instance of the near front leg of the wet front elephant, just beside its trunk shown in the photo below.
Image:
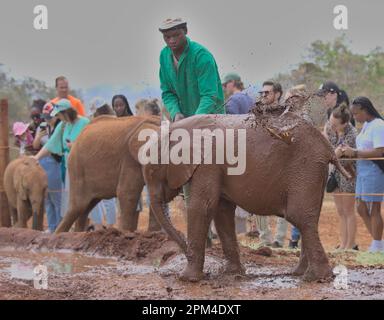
(201, 208)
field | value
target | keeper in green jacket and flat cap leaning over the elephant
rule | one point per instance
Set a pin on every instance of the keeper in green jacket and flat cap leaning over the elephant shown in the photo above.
(189, 79)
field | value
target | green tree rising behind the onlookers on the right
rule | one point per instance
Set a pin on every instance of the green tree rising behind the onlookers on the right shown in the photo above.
(357, 74)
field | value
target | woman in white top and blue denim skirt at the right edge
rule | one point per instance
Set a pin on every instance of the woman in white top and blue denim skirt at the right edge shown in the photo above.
(370, 174)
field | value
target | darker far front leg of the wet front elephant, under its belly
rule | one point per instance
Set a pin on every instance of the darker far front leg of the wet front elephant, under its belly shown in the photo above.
(226, 230)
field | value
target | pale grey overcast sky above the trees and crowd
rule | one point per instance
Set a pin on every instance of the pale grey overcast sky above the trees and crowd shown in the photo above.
(117, 42)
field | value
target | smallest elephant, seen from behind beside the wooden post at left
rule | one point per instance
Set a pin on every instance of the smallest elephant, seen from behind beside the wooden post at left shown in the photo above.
(26, 185)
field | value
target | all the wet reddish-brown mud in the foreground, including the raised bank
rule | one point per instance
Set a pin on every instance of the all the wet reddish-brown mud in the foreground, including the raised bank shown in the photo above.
(110, 264)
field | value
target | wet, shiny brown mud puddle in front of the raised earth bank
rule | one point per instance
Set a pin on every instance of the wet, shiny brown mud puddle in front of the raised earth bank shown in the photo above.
(108, 278)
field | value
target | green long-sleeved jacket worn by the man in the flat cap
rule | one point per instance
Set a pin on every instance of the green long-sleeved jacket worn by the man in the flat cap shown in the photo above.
(195, 88)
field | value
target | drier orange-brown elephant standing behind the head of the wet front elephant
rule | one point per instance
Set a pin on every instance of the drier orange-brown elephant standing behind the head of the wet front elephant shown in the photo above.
(103, 164)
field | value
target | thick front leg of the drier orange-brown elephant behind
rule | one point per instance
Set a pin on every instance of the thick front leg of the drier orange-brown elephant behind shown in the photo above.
(130, 185)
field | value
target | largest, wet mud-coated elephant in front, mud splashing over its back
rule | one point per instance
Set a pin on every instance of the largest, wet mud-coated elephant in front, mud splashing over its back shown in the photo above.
(279, 178)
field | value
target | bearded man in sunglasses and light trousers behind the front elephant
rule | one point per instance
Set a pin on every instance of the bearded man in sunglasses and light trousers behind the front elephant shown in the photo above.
(271, 94)
